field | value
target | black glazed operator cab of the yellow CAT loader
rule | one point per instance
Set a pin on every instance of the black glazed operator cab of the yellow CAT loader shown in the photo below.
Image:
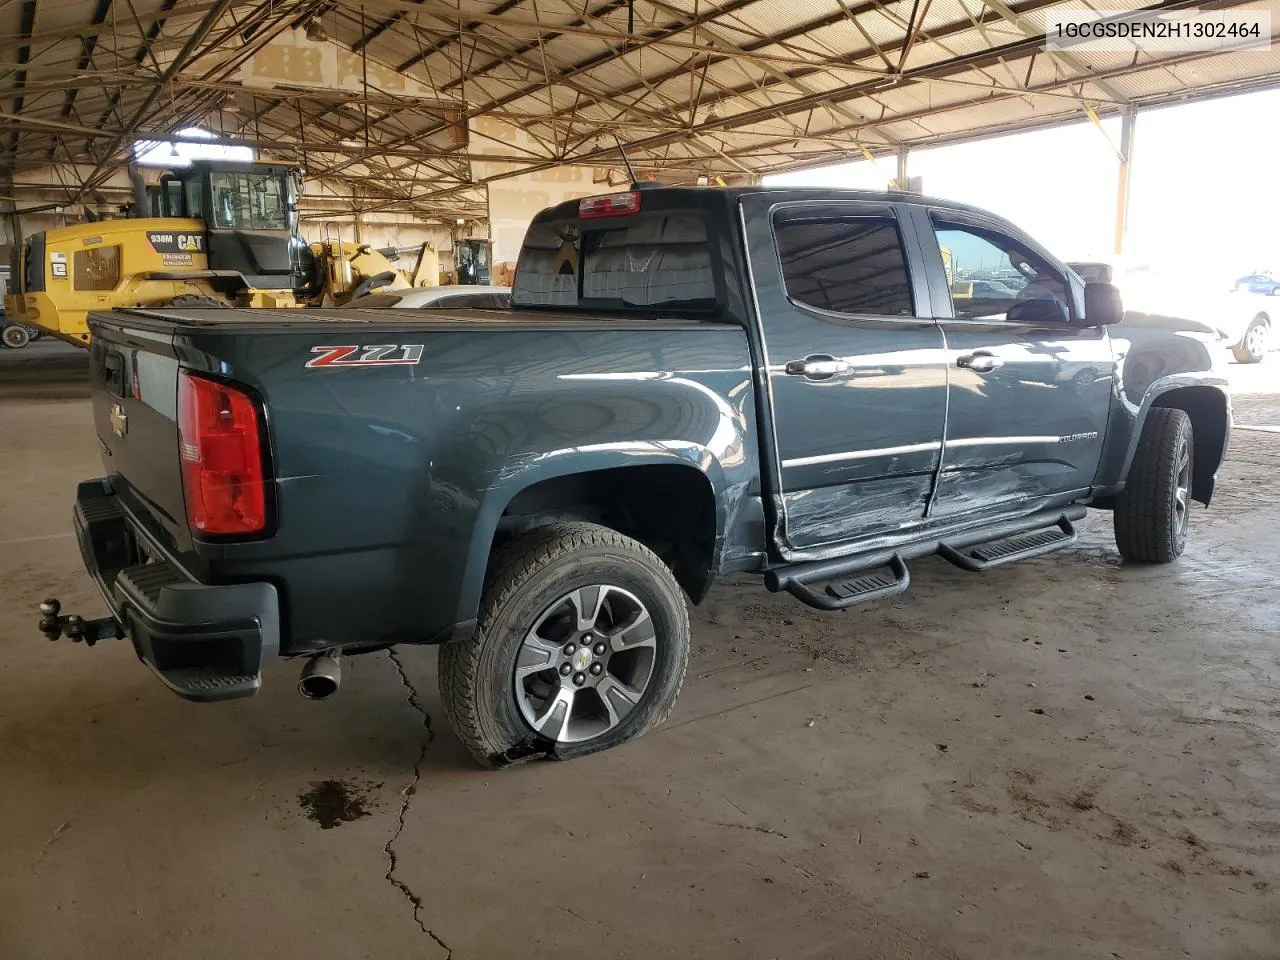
(252, 220)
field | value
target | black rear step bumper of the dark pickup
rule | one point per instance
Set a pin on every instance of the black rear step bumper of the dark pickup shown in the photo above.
(204, 642)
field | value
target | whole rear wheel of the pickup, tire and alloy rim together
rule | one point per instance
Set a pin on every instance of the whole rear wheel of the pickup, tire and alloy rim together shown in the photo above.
(582, 644)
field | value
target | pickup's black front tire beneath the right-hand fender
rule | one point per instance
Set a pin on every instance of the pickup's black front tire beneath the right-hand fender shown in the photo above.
(1146, 520)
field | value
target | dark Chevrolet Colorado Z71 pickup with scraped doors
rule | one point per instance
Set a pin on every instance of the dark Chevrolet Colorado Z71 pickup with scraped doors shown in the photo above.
(817, 387)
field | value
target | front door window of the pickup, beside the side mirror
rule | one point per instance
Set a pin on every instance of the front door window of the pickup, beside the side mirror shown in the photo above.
(975, 262)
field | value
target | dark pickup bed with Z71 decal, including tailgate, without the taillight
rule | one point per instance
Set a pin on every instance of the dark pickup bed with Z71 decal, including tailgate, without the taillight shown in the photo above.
(396, 440)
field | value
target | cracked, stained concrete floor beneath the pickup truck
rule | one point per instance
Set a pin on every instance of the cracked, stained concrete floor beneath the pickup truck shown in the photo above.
(1068, 758)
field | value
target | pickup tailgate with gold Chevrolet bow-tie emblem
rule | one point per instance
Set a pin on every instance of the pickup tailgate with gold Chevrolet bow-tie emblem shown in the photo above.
(134, 376)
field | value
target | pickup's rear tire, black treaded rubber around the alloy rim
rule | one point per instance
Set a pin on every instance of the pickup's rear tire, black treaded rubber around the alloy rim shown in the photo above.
(525, 577)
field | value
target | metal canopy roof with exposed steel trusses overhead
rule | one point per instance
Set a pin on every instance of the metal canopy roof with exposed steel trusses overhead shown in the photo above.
(693, 88)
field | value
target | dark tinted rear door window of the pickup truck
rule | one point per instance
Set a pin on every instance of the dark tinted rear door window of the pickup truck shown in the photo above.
(848, 266)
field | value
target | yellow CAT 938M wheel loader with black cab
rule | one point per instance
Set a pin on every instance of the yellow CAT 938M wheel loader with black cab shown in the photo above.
(216, 235)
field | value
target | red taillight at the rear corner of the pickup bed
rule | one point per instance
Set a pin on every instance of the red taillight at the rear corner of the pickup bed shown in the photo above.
(223, 474)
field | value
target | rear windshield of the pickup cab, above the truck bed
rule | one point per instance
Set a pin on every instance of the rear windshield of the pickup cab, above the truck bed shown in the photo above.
(652, 260)
